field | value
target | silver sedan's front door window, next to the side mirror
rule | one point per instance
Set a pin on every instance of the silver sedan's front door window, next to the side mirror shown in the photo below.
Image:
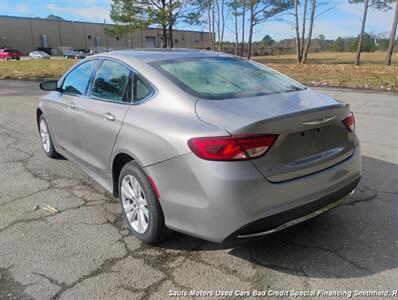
(77, 81)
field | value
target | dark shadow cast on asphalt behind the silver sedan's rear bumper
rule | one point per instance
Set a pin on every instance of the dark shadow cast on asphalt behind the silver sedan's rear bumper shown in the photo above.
(357, 239)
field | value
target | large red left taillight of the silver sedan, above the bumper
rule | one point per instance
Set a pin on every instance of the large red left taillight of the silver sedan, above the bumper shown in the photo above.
(232, 148)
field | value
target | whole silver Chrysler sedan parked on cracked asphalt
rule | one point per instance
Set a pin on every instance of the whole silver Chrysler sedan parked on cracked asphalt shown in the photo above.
(203, 143)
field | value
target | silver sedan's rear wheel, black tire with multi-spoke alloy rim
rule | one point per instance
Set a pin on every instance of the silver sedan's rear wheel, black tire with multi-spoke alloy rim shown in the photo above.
(139, 201)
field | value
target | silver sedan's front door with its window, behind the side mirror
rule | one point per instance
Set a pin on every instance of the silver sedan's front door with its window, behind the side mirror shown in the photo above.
(62, 108)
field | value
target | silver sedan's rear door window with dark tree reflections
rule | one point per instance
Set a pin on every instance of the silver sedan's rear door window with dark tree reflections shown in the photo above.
(111, 82)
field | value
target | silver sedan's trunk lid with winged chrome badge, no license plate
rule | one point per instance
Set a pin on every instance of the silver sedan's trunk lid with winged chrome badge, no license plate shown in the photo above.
(311, 134)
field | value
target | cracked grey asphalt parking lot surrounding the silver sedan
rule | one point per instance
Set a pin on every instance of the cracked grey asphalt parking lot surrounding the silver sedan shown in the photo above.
(85, 252)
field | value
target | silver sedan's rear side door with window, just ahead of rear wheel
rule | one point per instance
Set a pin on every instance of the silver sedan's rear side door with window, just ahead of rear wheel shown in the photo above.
(99, 117)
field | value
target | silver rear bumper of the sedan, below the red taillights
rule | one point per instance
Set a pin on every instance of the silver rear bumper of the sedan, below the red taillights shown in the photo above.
(218, 200)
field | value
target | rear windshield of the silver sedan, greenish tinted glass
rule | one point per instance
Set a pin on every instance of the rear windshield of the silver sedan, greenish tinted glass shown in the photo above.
(224, 78)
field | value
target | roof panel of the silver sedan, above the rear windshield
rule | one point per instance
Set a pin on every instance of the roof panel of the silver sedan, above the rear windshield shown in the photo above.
(152, 55)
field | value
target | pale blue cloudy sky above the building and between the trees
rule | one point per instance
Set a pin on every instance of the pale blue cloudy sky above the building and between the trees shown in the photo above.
(339, 18)
